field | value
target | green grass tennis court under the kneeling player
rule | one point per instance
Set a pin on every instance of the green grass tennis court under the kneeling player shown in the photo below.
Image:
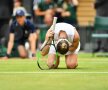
(91, 74)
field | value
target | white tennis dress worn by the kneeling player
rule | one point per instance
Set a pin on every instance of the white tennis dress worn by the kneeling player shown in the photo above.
(70, 30)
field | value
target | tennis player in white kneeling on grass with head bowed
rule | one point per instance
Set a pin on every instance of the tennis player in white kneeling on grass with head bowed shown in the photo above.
(68, 33)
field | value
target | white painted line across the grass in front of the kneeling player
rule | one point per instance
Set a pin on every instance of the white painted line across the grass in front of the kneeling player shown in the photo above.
(53, 72)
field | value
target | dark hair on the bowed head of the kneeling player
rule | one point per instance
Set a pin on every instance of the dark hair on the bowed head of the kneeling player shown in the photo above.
(62, 47)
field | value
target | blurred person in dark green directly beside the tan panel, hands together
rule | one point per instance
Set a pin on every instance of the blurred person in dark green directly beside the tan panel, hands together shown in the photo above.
(67, 9)
